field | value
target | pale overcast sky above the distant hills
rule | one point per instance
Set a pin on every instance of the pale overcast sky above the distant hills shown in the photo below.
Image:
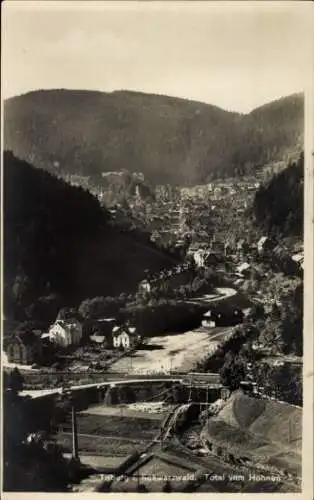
(236, 57)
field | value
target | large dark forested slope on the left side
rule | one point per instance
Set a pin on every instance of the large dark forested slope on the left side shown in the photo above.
(59, 240)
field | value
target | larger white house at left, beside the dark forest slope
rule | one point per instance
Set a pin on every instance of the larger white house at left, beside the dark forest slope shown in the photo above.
(66, 332)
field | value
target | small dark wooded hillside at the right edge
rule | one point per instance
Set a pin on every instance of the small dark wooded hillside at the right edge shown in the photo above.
(278, 207)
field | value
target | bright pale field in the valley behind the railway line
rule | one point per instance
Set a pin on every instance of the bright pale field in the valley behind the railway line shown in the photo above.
(172, 353)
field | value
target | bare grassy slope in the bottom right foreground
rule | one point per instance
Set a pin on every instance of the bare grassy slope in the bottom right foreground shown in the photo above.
(267, 432)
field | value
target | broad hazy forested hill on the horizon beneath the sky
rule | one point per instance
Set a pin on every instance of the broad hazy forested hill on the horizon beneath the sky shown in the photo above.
(170, 140)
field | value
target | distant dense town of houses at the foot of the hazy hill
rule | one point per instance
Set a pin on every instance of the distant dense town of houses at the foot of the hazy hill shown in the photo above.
(191, 212)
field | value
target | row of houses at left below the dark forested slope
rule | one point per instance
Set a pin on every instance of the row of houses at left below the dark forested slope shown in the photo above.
(28, 347)
